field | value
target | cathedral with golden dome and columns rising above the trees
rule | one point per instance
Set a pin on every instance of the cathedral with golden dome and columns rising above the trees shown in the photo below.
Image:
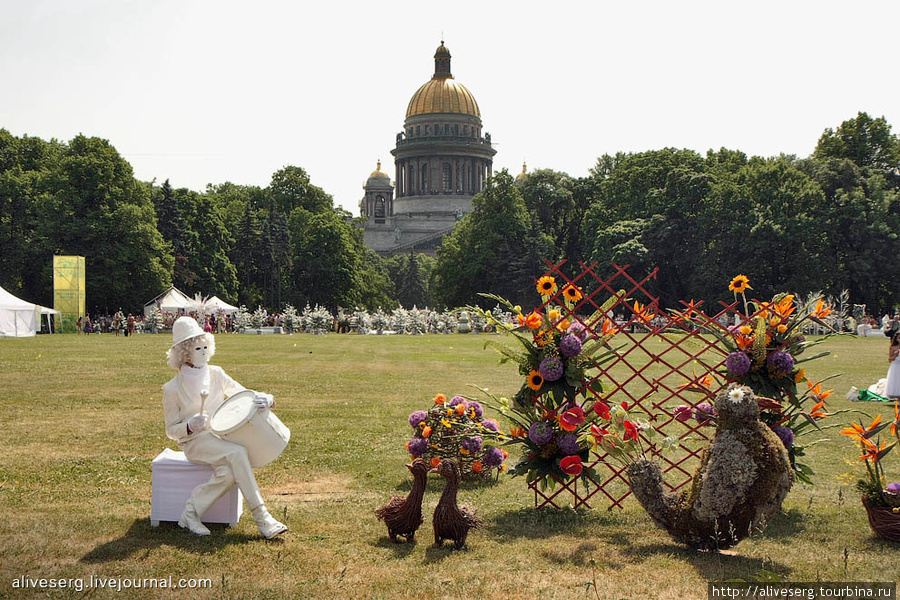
(441, 161)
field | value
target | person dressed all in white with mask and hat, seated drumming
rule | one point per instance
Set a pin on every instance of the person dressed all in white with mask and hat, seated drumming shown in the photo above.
(189, 426)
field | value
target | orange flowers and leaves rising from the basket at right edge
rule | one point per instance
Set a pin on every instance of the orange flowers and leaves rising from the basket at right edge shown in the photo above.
(875, 490)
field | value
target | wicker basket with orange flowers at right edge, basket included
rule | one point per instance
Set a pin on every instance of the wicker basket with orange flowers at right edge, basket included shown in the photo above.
(881, 499)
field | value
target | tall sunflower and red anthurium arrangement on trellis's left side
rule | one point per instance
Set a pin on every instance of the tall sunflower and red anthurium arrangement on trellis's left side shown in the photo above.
(553, 411)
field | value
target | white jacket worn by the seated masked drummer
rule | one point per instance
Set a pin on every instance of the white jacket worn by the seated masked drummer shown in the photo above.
(179, 404)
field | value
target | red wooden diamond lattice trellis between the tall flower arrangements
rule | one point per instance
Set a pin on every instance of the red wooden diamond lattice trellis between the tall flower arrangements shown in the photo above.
(648, 378)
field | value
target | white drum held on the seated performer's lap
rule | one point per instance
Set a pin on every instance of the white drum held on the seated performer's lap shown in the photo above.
(239, 421)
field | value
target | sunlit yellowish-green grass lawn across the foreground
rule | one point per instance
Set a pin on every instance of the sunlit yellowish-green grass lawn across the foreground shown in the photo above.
(83, 419)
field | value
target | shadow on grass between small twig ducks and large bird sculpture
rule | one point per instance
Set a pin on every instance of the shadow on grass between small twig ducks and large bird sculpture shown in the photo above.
(547, 522)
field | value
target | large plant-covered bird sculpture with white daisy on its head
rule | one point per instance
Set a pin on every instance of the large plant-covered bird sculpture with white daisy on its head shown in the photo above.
(743, 477)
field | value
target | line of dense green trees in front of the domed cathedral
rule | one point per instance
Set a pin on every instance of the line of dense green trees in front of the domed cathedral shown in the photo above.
(828, 222)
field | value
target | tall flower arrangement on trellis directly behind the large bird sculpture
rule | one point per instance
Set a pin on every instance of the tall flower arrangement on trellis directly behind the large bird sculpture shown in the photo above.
(762, 352)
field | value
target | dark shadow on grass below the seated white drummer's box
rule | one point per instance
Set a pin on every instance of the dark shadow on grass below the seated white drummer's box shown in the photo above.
(141, 537)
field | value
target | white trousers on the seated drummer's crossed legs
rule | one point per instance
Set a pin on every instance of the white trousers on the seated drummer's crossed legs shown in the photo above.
(231, 466)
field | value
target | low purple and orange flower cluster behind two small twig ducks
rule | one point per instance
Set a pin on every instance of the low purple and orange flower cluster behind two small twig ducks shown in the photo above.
(456, 429)
